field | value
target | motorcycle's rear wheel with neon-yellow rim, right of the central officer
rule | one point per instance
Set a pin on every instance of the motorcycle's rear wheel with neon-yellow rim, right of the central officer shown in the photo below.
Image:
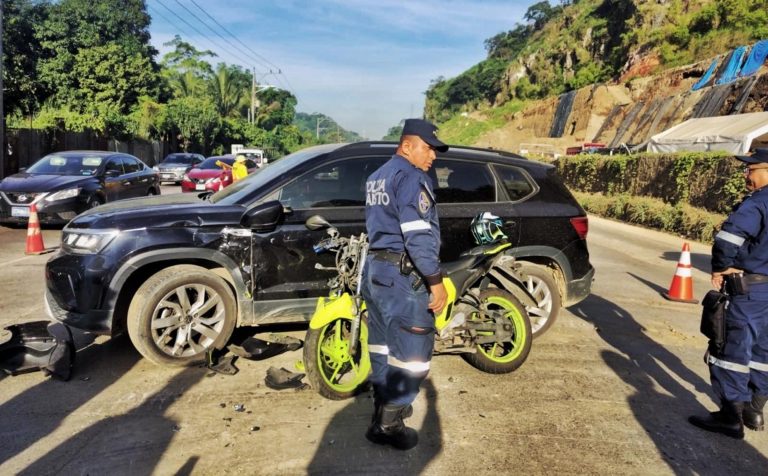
(508, 356)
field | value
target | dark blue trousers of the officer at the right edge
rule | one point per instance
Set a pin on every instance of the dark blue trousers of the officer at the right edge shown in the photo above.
(741, 369)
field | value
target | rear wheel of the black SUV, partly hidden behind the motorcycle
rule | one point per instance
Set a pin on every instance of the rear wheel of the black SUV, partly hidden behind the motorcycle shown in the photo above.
(540, 282)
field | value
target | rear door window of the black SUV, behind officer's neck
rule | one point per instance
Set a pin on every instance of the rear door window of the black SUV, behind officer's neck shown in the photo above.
(456, 181)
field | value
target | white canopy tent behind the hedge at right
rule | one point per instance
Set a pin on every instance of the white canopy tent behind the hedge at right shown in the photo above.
(737, 134)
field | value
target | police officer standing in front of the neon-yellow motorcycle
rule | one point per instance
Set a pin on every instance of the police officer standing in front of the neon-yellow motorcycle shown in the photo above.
(402, 281)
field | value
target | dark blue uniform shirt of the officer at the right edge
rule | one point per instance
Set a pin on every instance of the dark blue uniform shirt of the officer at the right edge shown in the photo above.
(742, 242)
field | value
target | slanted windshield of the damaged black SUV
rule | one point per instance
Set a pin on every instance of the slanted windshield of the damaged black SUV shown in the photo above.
(279, 168)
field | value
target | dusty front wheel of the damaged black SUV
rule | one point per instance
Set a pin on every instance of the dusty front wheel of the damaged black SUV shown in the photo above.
(164, 322)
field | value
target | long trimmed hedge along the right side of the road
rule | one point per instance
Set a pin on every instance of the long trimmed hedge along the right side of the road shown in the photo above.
(687, 194)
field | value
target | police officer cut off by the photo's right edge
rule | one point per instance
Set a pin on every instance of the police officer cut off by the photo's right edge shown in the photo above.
(739, 371)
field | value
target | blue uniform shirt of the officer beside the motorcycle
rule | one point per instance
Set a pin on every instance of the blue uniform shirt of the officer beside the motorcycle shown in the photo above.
(401, 215)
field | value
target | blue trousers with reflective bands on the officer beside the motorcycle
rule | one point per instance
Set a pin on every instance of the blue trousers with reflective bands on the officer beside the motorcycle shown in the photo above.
(400, 332)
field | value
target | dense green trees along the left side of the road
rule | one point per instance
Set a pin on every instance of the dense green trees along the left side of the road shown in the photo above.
(80, 65)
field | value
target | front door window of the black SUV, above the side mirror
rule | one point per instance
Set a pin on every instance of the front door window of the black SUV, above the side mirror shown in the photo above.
(339, 184)
